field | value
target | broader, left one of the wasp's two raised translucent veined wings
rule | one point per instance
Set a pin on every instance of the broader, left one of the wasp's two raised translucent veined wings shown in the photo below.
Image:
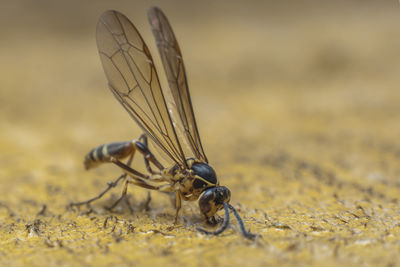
(133, 80)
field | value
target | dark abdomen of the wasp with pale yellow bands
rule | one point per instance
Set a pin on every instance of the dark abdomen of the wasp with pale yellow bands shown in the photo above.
(104, 153)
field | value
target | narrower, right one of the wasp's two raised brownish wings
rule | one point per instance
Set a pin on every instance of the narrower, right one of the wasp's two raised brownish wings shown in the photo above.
(171, 57)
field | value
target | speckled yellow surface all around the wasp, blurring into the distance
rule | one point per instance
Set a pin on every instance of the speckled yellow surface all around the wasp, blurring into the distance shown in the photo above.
(298, 109)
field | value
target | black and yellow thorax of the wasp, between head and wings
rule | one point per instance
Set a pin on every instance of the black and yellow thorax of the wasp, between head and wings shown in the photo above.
(198, 177)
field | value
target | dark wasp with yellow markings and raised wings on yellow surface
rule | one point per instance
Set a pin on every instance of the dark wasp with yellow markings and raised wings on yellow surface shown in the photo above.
(166, 118)
